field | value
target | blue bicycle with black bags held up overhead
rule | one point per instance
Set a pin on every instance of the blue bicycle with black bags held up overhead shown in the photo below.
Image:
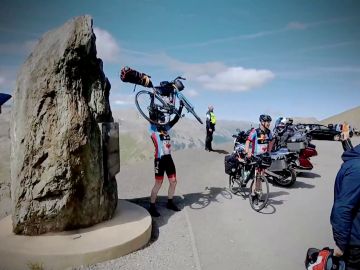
(163, 99)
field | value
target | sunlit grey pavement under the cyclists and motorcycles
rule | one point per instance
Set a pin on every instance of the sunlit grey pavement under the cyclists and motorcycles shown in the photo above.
(217, 230)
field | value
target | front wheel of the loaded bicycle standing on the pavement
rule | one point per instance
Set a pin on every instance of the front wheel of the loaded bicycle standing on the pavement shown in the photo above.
(259, 198)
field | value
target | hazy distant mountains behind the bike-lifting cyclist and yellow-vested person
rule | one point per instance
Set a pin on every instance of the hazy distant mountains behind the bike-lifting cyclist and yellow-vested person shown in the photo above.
(135, 142)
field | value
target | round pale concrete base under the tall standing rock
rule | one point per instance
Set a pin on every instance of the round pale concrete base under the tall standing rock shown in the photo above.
(129, 230)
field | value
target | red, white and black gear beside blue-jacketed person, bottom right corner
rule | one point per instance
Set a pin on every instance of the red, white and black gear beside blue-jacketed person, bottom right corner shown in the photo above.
(323, 259)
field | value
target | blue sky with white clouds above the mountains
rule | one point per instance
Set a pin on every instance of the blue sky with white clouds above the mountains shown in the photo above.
(284, 58)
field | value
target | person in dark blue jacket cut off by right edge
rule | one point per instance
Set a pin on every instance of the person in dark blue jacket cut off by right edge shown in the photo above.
(345, 214)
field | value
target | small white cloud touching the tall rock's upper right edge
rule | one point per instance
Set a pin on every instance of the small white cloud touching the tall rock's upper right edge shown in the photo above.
(106, 46)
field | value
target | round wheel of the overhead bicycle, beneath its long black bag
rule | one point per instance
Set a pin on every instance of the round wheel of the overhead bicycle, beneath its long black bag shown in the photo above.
(146, 101)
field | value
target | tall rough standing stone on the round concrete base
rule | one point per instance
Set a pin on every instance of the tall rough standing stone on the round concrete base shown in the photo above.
(61, 94)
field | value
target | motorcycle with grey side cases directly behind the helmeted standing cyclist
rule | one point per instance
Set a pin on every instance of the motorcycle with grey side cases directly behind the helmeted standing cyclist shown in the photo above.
(282, 170)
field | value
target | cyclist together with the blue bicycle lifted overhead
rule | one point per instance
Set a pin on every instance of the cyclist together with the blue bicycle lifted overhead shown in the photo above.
(158, 107)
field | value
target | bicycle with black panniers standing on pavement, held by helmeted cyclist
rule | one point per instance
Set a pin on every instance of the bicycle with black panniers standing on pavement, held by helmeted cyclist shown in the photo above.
(243, 170)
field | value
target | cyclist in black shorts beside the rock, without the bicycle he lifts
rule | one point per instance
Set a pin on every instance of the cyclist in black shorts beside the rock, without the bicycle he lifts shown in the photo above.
(163, 161)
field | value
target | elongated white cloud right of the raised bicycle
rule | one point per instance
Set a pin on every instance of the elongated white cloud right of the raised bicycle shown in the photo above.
(236, 79)
